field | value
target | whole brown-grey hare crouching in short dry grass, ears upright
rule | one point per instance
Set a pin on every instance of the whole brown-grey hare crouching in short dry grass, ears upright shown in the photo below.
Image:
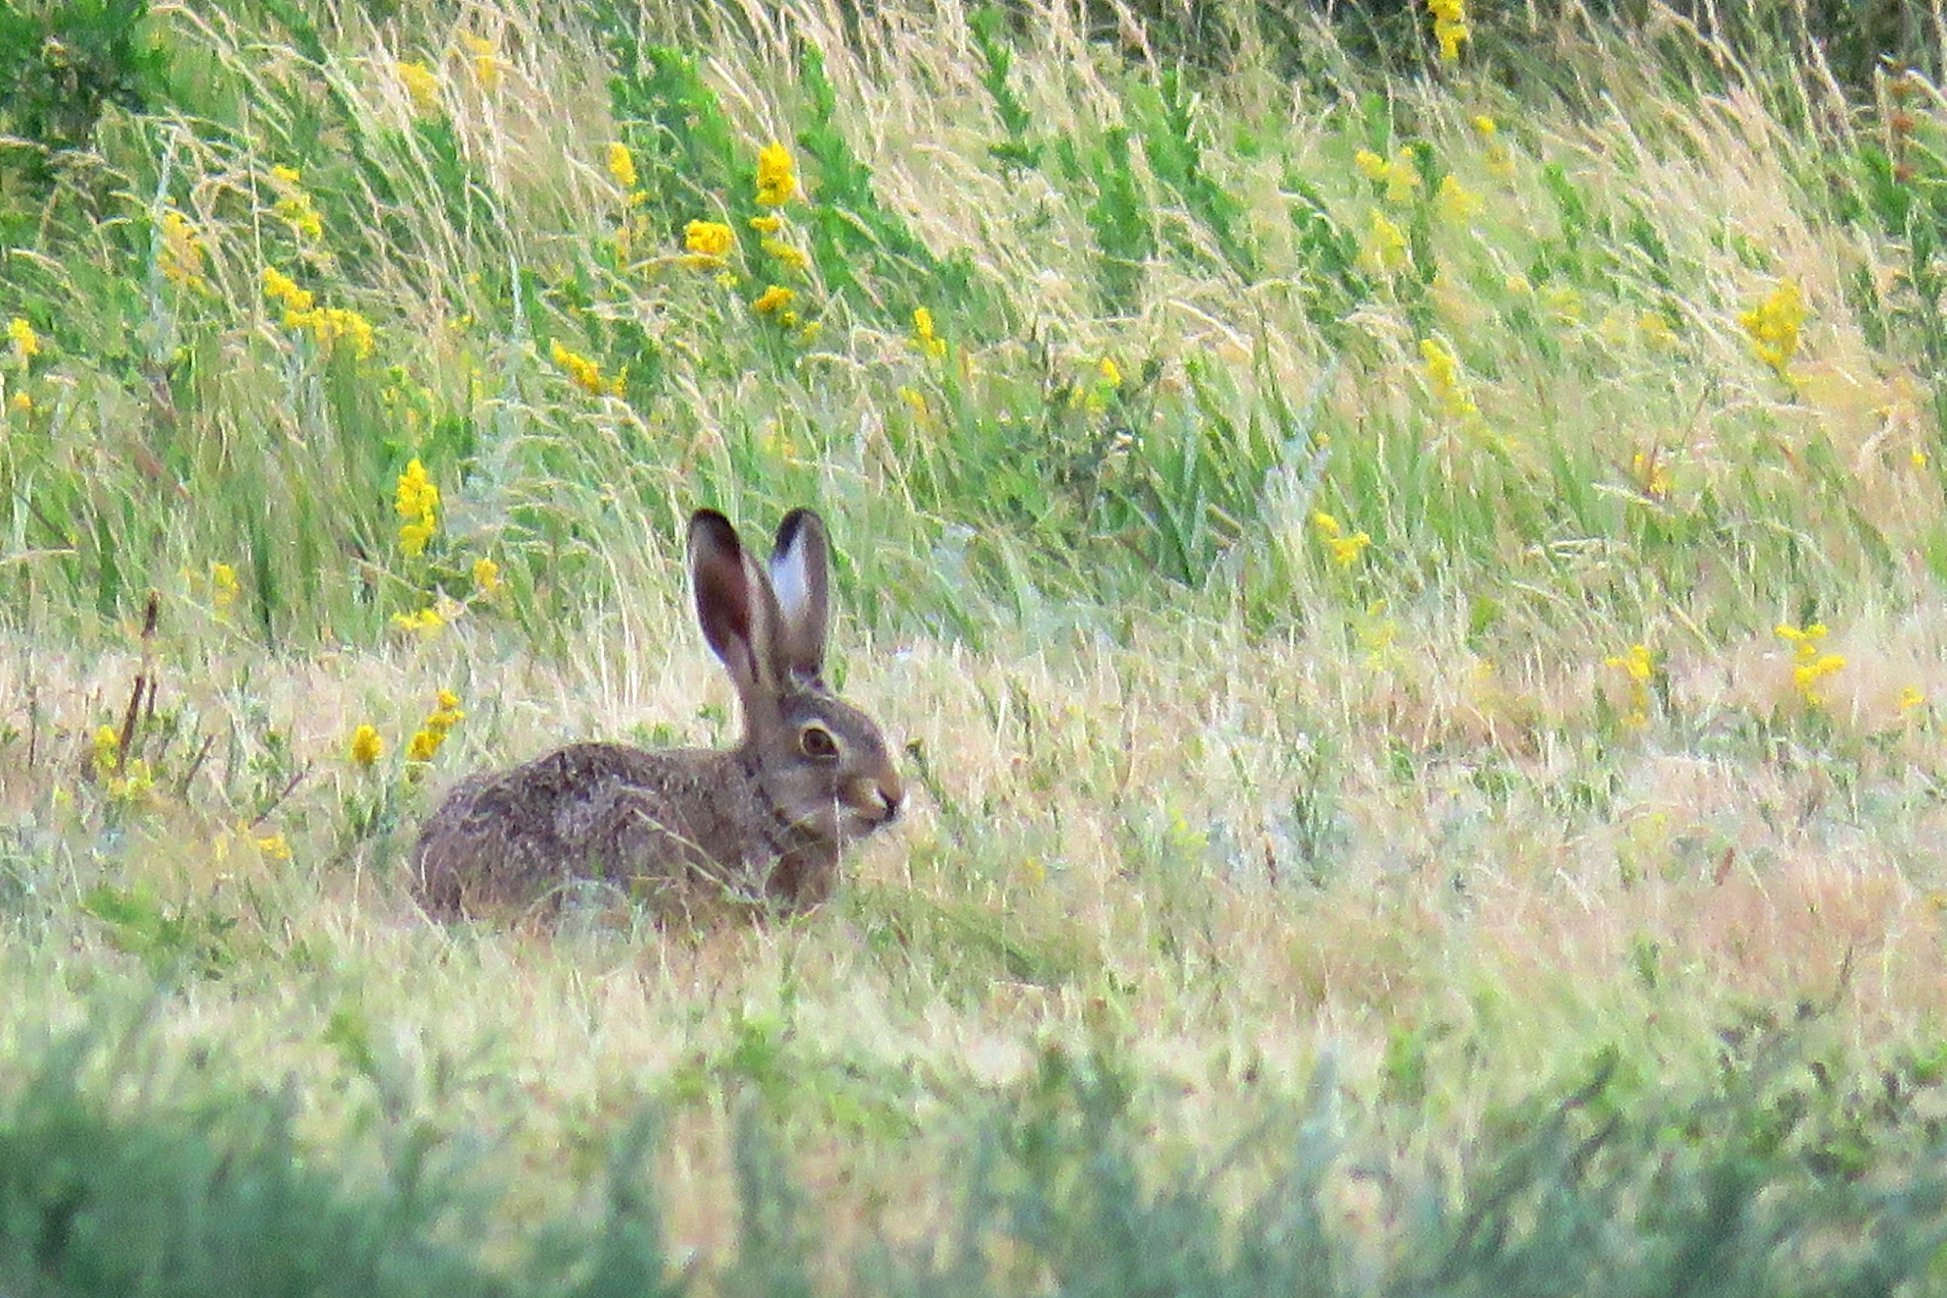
(758, 824)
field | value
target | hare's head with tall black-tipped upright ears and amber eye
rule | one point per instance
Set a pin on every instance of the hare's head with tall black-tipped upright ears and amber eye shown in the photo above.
(819, 760)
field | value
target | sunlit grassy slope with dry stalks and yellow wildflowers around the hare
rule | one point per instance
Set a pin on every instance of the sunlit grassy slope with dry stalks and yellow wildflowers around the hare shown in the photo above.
(1395, 811)
